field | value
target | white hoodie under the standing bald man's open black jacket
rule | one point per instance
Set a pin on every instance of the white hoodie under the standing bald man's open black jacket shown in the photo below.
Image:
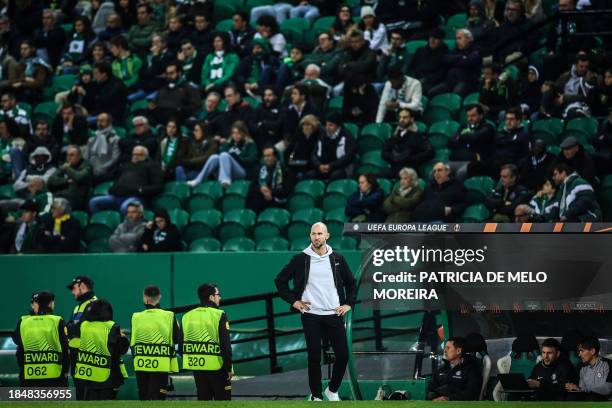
(320, 289)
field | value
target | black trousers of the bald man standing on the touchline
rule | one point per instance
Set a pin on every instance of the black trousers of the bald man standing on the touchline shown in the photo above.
(330, 327)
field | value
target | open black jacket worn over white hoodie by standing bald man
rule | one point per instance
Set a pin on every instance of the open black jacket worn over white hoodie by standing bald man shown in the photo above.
(297, 271)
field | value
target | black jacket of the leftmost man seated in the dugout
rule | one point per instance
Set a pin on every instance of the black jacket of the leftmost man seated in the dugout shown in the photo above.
(459, 383)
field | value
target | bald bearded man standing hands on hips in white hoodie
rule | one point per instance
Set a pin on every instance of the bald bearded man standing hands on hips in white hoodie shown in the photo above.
(323, 291)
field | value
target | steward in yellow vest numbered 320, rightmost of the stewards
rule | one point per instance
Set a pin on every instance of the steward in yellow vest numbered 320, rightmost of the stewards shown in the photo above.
(206, 347)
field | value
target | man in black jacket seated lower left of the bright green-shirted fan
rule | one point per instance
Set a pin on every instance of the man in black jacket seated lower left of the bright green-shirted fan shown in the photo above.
(177, 98)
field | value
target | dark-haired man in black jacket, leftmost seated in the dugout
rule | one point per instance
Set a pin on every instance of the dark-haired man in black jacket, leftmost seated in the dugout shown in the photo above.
(459, 378)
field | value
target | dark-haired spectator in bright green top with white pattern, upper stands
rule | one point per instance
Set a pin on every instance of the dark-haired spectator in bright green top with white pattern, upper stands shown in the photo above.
(219, 66)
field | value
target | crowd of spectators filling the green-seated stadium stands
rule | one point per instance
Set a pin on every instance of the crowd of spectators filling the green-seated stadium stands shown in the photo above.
(163, 92)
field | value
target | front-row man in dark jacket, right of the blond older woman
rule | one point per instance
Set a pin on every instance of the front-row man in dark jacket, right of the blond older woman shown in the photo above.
(443, 199)
